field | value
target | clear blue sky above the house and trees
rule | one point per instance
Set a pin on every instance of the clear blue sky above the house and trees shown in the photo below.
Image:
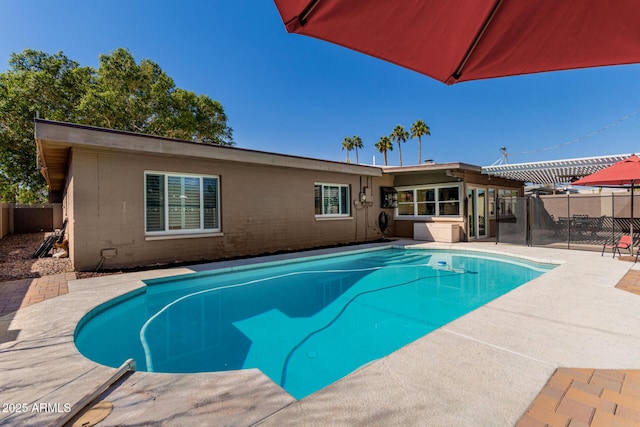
(296, 95)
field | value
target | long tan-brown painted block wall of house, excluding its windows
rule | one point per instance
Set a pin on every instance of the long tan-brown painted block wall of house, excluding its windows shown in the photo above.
(263, 209)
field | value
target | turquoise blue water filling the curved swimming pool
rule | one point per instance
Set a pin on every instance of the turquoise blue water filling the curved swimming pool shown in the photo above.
(305, 324)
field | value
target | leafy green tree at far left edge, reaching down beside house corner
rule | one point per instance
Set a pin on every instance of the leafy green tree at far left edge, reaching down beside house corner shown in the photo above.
(36, 84)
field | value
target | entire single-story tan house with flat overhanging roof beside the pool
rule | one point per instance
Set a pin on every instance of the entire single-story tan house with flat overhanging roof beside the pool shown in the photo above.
(131, 199)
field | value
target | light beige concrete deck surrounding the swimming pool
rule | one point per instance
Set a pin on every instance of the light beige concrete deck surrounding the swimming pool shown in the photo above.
(485, 368)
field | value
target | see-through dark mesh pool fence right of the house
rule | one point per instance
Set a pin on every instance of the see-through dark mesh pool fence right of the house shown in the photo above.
(572, 221)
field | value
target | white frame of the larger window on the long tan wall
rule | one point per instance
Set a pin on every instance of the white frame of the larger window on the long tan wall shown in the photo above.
(192, 231)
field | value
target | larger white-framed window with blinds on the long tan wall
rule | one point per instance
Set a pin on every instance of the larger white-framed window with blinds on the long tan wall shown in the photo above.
(181, 203)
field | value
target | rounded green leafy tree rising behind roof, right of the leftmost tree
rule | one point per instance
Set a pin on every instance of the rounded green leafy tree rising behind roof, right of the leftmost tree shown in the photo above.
(143, 98)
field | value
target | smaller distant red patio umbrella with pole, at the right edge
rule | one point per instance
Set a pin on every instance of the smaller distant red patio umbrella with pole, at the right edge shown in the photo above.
(625, 173)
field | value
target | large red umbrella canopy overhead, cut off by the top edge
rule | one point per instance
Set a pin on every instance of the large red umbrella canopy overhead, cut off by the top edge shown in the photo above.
(458, 40)
